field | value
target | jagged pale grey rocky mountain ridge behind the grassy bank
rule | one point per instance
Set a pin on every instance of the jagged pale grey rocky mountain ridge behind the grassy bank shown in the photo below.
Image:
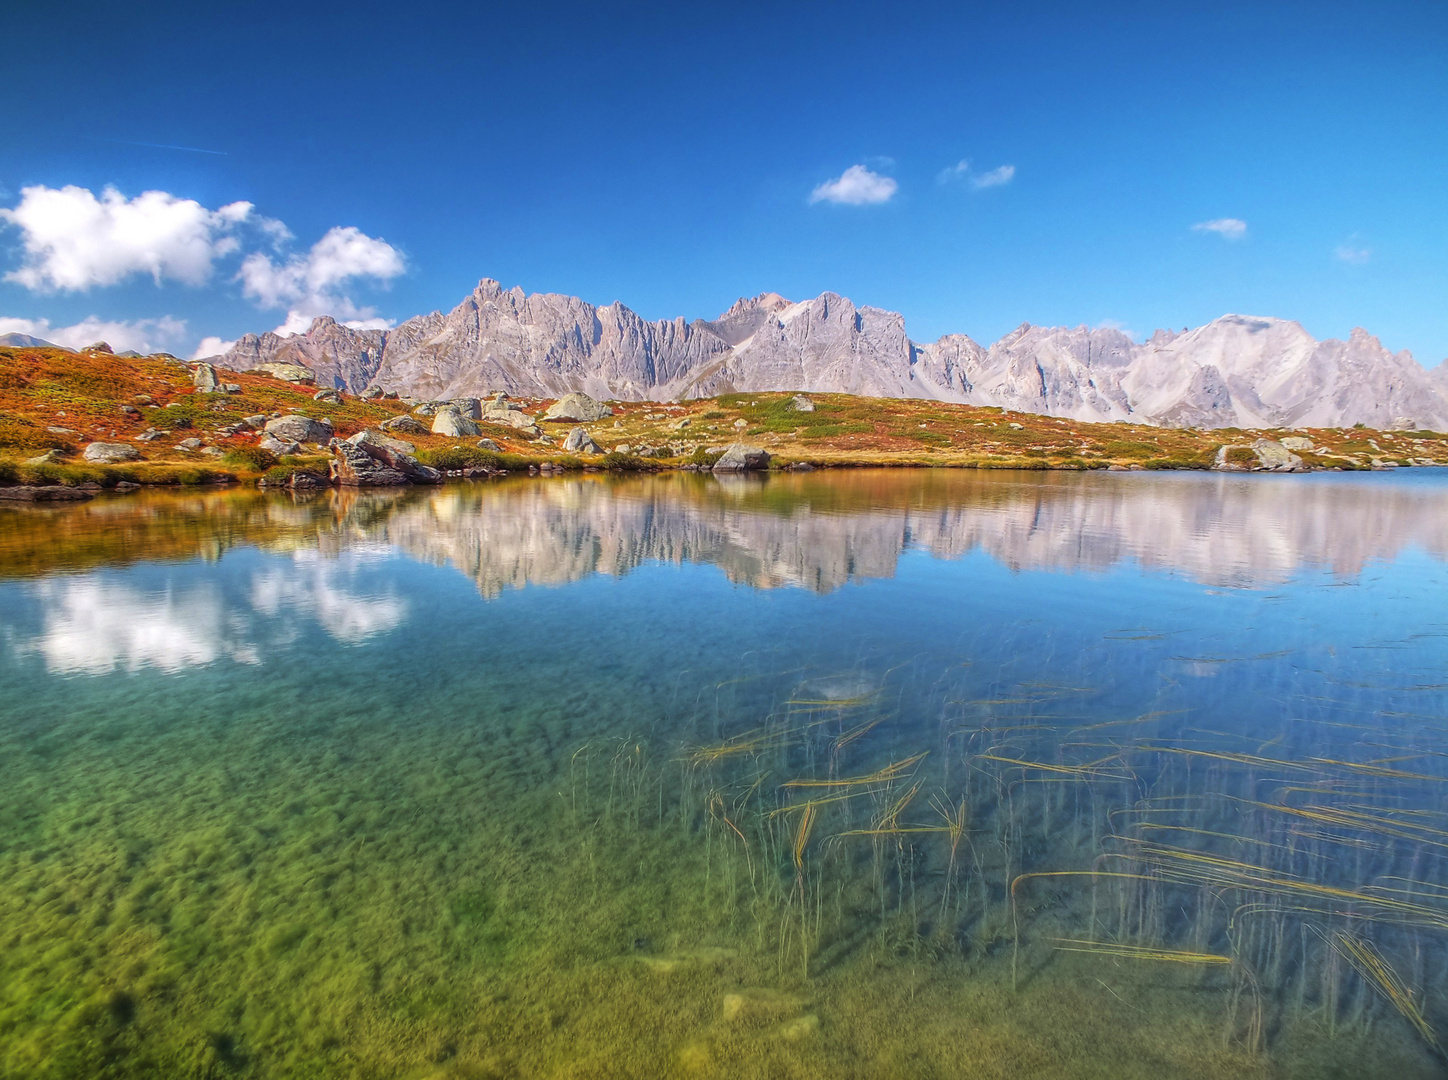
(1236, 371)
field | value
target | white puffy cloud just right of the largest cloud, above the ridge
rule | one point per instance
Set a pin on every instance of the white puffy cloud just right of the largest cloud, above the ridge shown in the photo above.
(309, 286)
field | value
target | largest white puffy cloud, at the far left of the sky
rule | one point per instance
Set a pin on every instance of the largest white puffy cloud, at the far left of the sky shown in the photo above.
(75, 241)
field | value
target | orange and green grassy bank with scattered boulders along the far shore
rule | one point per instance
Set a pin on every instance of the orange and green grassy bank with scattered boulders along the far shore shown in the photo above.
(53, 400)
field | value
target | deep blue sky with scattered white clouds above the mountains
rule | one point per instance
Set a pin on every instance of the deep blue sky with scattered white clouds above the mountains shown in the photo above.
(680, 157)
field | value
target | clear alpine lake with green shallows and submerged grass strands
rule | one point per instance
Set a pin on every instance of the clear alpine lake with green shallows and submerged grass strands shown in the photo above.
(858, 774)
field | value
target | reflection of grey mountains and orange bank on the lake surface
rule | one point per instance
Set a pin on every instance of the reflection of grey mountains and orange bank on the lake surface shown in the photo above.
(816, 532)
